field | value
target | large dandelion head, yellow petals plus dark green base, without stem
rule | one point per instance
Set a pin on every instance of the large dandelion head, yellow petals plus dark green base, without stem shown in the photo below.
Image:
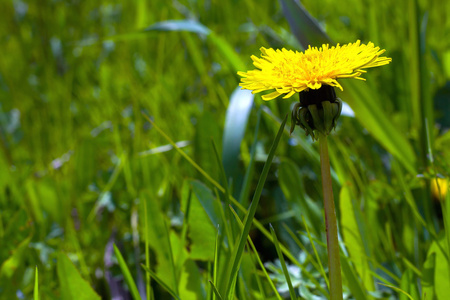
(313, 74)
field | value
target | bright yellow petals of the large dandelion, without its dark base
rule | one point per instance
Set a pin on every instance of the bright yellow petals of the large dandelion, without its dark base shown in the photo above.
(288, 72)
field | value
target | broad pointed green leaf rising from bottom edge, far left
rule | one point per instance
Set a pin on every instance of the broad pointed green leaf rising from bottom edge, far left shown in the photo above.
(72, 285)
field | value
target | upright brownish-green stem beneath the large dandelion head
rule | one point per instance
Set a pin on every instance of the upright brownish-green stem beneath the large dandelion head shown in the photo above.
(334, 263)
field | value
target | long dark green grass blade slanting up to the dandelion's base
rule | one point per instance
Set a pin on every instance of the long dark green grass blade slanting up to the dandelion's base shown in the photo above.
(237, 253)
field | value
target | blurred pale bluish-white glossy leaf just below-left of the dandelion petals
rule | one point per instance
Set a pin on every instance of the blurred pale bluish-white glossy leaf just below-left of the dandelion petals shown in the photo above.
(241, 103)
